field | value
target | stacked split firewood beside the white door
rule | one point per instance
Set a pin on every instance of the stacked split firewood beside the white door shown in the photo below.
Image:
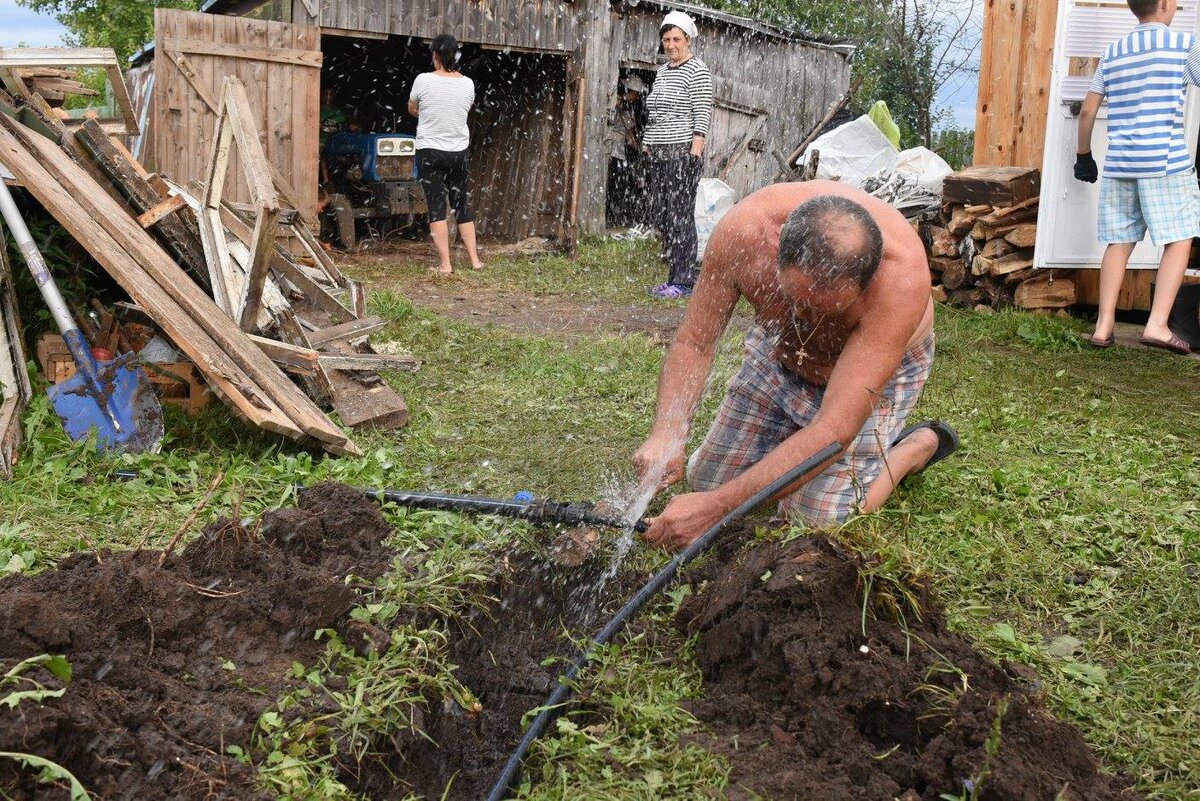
(982, 246)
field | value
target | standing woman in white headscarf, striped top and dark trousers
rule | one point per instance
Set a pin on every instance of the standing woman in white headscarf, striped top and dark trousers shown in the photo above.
(681, 111)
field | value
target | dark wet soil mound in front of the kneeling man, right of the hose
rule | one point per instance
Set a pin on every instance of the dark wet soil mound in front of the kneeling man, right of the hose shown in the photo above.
(807, 707)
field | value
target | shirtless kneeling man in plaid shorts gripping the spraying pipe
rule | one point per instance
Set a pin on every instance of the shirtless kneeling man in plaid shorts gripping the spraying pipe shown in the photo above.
(841, 350)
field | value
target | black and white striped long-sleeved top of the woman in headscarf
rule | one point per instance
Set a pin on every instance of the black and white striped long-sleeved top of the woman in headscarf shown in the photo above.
(680, 105)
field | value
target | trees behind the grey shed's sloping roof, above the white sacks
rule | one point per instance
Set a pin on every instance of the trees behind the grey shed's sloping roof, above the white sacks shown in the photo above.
(908, 50)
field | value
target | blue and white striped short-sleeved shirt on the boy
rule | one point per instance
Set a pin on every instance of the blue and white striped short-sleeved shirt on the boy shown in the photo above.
(1145, 76)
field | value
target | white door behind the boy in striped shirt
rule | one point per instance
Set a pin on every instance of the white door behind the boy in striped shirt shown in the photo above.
(1067, 222)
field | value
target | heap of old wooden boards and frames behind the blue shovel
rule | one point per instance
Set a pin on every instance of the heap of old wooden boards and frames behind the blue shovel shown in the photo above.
(243, 292)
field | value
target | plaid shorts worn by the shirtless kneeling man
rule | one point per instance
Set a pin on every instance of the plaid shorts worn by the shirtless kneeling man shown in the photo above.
(765, 405)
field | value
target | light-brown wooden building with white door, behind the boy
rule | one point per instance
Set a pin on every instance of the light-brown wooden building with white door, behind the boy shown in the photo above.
(1036, 62)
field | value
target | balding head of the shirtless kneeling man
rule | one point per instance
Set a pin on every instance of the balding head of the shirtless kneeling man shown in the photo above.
(832, 238)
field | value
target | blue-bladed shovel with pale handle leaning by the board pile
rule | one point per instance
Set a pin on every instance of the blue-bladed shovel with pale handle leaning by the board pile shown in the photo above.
(115, 398)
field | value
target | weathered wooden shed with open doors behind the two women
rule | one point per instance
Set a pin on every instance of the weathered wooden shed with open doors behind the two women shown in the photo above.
(547, 76)
